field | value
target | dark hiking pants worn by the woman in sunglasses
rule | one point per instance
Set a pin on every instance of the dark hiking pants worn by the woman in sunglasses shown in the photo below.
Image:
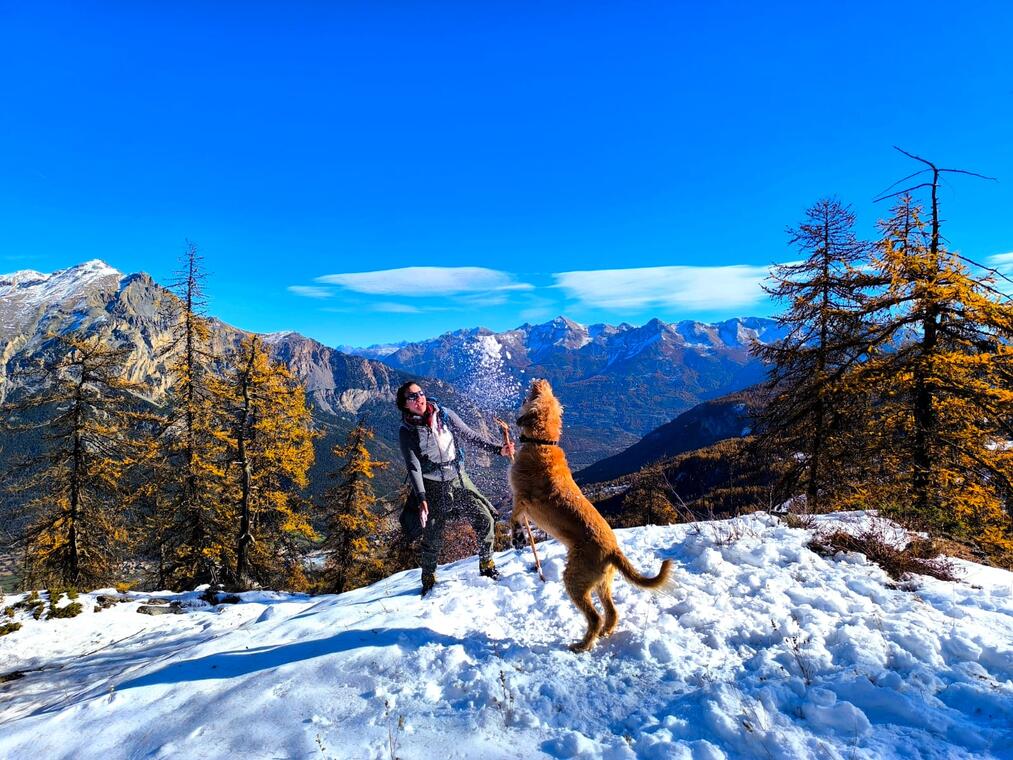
(449, 499)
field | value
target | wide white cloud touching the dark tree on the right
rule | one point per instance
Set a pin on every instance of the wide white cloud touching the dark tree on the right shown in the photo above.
(684, 287)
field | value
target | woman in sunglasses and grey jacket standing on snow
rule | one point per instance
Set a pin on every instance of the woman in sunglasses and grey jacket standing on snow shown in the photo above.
(430, 446)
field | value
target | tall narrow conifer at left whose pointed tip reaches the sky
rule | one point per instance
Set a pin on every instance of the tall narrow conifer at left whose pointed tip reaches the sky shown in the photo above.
(195, 511)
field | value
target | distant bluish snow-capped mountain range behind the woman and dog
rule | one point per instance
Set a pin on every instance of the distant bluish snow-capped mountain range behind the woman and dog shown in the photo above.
(617, 383)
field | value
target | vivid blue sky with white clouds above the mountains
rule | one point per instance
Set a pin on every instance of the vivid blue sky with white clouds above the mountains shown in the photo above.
(511, 162)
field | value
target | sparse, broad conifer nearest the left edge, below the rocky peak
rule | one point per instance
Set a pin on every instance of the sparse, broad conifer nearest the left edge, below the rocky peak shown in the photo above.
(77, 529)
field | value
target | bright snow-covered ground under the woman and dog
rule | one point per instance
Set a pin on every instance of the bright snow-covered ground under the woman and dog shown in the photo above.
(762, 649)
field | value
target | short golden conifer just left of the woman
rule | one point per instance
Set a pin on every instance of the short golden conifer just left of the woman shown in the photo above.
(352, 517)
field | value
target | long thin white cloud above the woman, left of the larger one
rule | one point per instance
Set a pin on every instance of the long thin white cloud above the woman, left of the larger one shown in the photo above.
(426, 281)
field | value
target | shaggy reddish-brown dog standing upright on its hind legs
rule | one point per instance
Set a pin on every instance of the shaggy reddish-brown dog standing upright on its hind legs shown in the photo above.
(544, 491)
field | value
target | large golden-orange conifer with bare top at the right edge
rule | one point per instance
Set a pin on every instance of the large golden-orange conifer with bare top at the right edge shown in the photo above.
(942, 424)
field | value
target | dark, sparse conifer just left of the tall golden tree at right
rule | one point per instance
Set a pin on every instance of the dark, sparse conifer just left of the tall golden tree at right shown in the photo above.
(808, 418)
